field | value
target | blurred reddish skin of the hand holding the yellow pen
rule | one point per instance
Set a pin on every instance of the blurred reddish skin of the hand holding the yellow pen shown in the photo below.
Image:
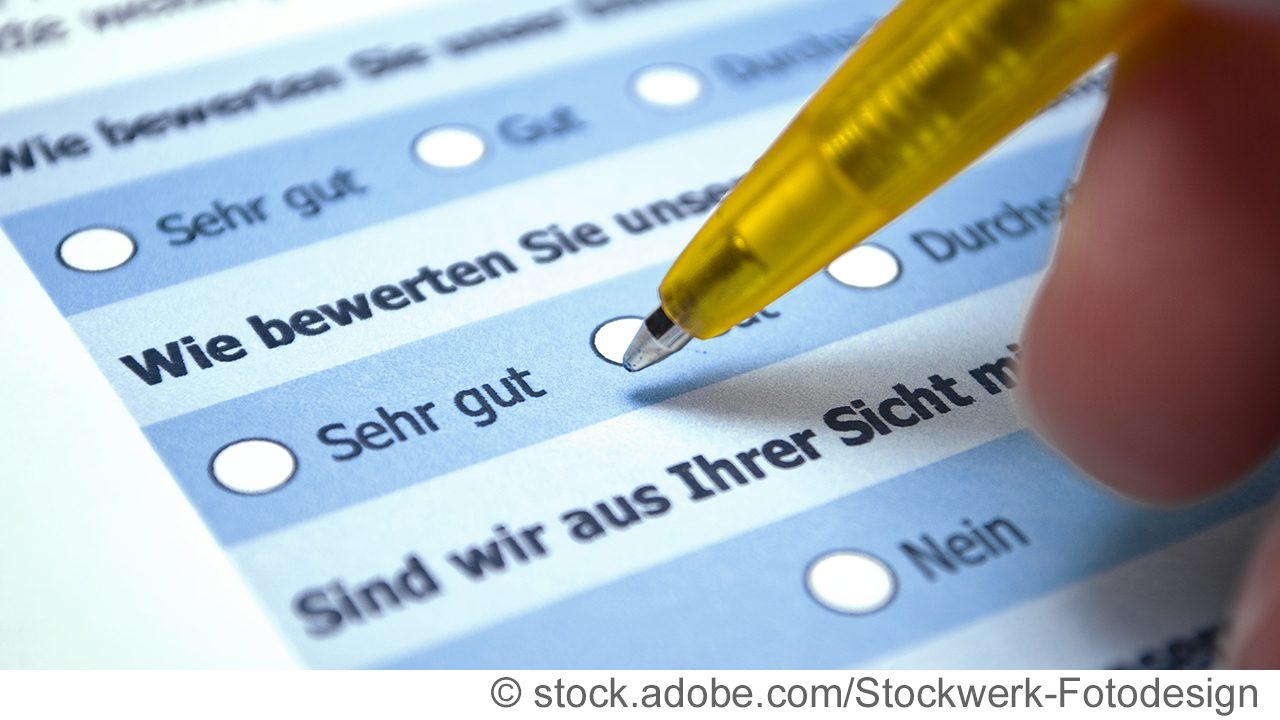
(1153, 352)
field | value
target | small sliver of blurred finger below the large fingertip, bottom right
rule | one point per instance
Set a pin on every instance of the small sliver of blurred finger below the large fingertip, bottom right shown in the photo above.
(1254, 640)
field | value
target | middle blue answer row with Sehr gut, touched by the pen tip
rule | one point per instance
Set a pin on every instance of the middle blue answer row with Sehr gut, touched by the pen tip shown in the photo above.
(447, 402)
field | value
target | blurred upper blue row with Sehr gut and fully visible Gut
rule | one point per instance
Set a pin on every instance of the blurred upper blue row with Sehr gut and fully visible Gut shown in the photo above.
(255, 204)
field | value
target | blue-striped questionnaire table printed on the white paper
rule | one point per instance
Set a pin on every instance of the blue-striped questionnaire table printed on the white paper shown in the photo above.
(365, 291)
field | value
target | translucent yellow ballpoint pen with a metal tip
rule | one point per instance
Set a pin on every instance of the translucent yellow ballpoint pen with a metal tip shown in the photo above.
(932, 88)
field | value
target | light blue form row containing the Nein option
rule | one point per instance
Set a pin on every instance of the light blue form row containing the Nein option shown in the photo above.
(967, 537)
